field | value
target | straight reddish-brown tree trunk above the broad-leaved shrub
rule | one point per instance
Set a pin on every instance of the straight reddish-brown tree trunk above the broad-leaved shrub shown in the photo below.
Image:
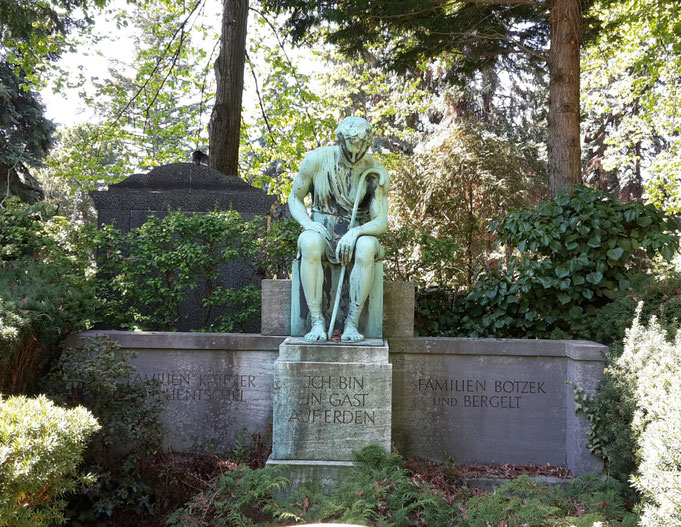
(564, 149)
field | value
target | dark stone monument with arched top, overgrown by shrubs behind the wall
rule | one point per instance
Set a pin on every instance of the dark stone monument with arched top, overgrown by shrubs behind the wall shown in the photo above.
(191, 188)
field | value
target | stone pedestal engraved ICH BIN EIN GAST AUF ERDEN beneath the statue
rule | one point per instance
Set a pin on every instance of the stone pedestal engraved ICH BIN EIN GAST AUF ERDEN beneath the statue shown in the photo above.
(329, 400)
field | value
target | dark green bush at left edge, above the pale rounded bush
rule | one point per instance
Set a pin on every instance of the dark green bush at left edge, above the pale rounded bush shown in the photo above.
(46, 289)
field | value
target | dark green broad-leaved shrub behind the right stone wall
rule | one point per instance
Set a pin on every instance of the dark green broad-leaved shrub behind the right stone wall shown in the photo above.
(576, 253)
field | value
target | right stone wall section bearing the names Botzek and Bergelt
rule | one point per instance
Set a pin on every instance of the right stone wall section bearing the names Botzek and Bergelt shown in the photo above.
(493, 401)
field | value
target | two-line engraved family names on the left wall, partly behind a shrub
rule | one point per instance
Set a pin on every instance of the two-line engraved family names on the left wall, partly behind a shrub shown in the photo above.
(181, 386)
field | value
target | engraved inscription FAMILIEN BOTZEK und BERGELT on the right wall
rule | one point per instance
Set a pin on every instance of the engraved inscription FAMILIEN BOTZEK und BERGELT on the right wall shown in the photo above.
(480, 393)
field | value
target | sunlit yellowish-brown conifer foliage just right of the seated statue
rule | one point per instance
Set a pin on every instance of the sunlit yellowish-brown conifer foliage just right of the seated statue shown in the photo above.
(444, 198)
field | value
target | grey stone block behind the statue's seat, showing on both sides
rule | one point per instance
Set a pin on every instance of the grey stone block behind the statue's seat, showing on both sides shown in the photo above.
(398, 308)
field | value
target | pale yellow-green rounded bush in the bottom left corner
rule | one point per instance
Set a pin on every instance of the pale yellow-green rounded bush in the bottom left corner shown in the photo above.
(41, 448)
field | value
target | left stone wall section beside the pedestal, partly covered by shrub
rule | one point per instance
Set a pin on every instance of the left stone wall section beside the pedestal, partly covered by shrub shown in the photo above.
(216, 385)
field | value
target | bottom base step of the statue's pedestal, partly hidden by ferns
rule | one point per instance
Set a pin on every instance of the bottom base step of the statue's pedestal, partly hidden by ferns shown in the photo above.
(317, 476)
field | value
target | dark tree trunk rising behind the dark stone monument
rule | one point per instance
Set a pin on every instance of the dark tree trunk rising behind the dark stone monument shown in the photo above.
(225, 121)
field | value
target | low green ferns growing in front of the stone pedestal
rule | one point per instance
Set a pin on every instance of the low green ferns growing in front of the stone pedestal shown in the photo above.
(380, 491)
